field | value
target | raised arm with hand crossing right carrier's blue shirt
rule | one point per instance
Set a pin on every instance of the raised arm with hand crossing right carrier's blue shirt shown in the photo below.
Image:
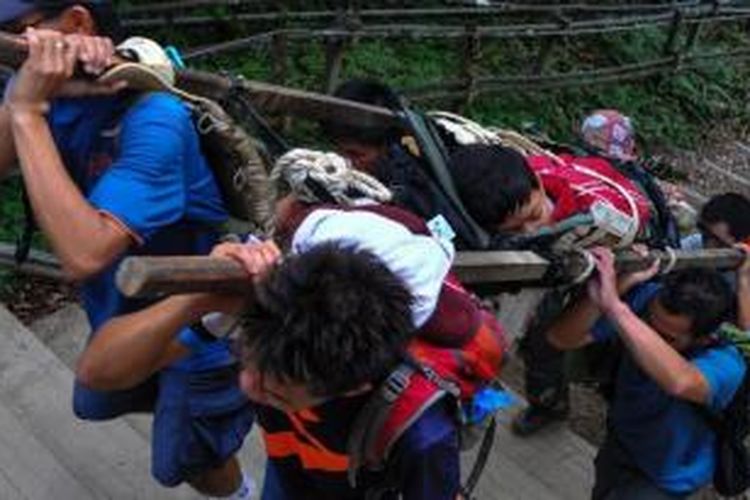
(660, 361)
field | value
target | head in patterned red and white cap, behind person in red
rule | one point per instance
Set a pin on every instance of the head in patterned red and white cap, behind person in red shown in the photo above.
(610, 133)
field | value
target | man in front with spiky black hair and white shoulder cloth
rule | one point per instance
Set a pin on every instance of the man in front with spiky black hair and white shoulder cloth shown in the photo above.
(320, 331)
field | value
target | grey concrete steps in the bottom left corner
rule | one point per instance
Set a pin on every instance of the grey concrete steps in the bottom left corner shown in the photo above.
(86, 460)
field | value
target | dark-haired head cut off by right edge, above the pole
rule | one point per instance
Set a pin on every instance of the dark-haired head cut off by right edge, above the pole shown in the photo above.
(725, 220)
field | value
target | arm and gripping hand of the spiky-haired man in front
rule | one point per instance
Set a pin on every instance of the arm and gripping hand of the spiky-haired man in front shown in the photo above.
(128, 349)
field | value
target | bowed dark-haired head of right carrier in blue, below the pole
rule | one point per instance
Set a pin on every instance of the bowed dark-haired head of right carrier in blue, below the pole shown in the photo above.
(690, 305)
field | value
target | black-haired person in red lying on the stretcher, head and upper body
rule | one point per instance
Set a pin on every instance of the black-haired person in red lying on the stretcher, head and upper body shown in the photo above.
(508, 193)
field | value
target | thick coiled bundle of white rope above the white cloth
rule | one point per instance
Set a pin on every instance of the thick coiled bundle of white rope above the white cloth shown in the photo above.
(328, 171)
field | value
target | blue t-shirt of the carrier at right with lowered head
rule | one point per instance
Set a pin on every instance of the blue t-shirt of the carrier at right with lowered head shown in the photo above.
(669, 439)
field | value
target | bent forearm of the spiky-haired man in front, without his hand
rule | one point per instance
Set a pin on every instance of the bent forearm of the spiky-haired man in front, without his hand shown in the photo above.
(129, 349)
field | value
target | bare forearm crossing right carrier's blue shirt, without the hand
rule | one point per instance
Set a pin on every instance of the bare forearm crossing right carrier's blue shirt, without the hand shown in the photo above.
(660, 361)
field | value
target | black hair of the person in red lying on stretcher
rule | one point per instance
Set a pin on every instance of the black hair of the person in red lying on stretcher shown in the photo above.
(492, 182)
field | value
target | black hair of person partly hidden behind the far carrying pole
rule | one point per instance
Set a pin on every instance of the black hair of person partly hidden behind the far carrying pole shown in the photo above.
(366, 92)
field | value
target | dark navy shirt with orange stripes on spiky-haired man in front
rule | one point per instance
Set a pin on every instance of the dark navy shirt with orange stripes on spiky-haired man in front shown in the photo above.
(307, 454)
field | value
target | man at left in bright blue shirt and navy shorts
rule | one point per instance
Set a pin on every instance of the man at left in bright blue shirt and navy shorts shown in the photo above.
(110, 174)
